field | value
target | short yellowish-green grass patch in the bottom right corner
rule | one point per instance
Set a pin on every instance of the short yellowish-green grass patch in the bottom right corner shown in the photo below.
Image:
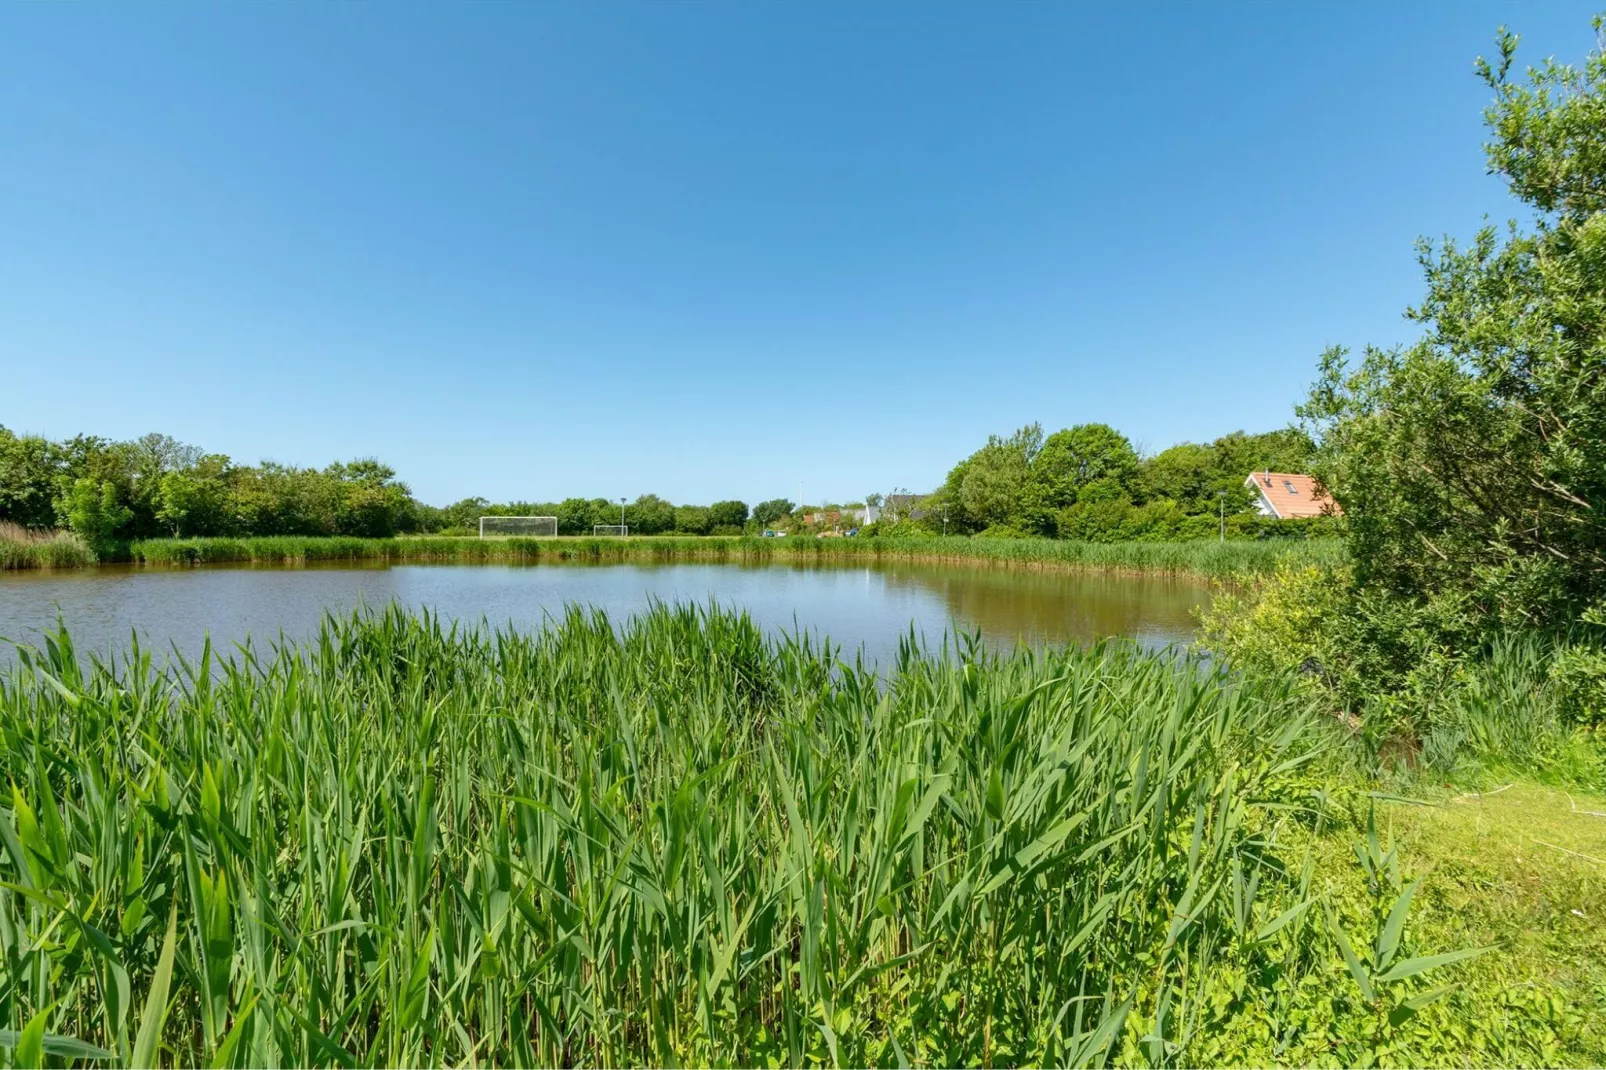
(1520, 868)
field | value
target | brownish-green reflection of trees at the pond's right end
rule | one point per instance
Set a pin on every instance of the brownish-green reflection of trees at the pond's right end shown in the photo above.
(1056, 606)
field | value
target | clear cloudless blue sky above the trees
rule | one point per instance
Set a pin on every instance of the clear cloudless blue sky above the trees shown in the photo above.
(719, 250)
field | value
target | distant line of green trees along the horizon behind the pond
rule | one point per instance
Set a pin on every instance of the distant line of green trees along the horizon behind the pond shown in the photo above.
(1082, 483)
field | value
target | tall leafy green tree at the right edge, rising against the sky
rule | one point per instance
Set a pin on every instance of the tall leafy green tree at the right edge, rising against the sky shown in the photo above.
(1472, 467)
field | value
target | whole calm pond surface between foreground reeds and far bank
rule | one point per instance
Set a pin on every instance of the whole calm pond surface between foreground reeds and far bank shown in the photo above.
(854, 606)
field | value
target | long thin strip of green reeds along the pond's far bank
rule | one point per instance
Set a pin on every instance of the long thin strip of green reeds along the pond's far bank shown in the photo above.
(1209, 558)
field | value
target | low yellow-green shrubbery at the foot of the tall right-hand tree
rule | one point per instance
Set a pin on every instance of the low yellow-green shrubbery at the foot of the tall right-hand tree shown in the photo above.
(1414, 680)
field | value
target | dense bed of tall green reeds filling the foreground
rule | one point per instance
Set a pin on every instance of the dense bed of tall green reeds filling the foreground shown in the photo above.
(669, 841)
